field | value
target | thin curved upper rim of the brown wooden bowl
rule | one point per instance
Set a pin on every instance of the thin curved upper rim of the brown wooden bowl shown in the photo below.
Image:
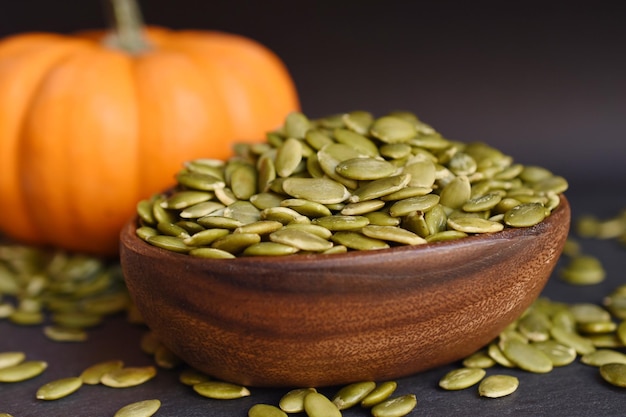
(130, 240)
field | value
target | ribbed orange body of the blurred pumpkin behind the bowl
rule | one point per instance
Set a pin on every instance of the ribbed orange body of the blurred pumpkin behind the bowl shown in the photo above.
(87, 130)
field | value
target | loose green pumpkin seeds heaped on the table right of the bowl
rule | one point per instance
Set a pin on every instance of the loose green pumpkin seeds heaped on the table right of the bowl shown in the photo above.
(549, 335)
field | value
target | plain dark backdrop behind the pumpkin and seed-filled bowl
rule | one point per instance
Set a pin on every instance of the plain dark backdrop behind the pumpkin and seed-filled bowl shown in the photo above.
(543, 81)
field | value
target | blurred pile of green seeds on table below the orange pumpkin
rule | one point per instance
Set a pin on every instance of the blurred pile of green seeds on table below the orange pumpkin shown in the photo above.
(66, 293)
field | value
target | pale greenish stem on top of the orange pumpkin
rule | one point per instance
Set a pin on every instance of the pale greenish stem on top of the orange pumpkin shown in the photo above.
(127, 26)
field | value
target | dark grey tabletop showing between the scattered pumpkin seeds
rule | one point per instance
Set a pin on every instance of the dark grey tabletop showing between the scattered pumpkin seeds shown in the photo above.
(574, 390)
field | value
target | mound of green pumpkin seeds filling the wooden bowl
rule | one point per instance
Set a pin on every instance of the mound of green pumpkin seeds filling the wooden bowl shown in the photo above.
(342, 183)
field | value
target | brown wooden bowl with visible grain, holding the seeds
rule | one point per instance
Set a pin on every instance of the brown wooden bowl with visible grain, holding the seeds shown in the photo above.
(319, 320)
